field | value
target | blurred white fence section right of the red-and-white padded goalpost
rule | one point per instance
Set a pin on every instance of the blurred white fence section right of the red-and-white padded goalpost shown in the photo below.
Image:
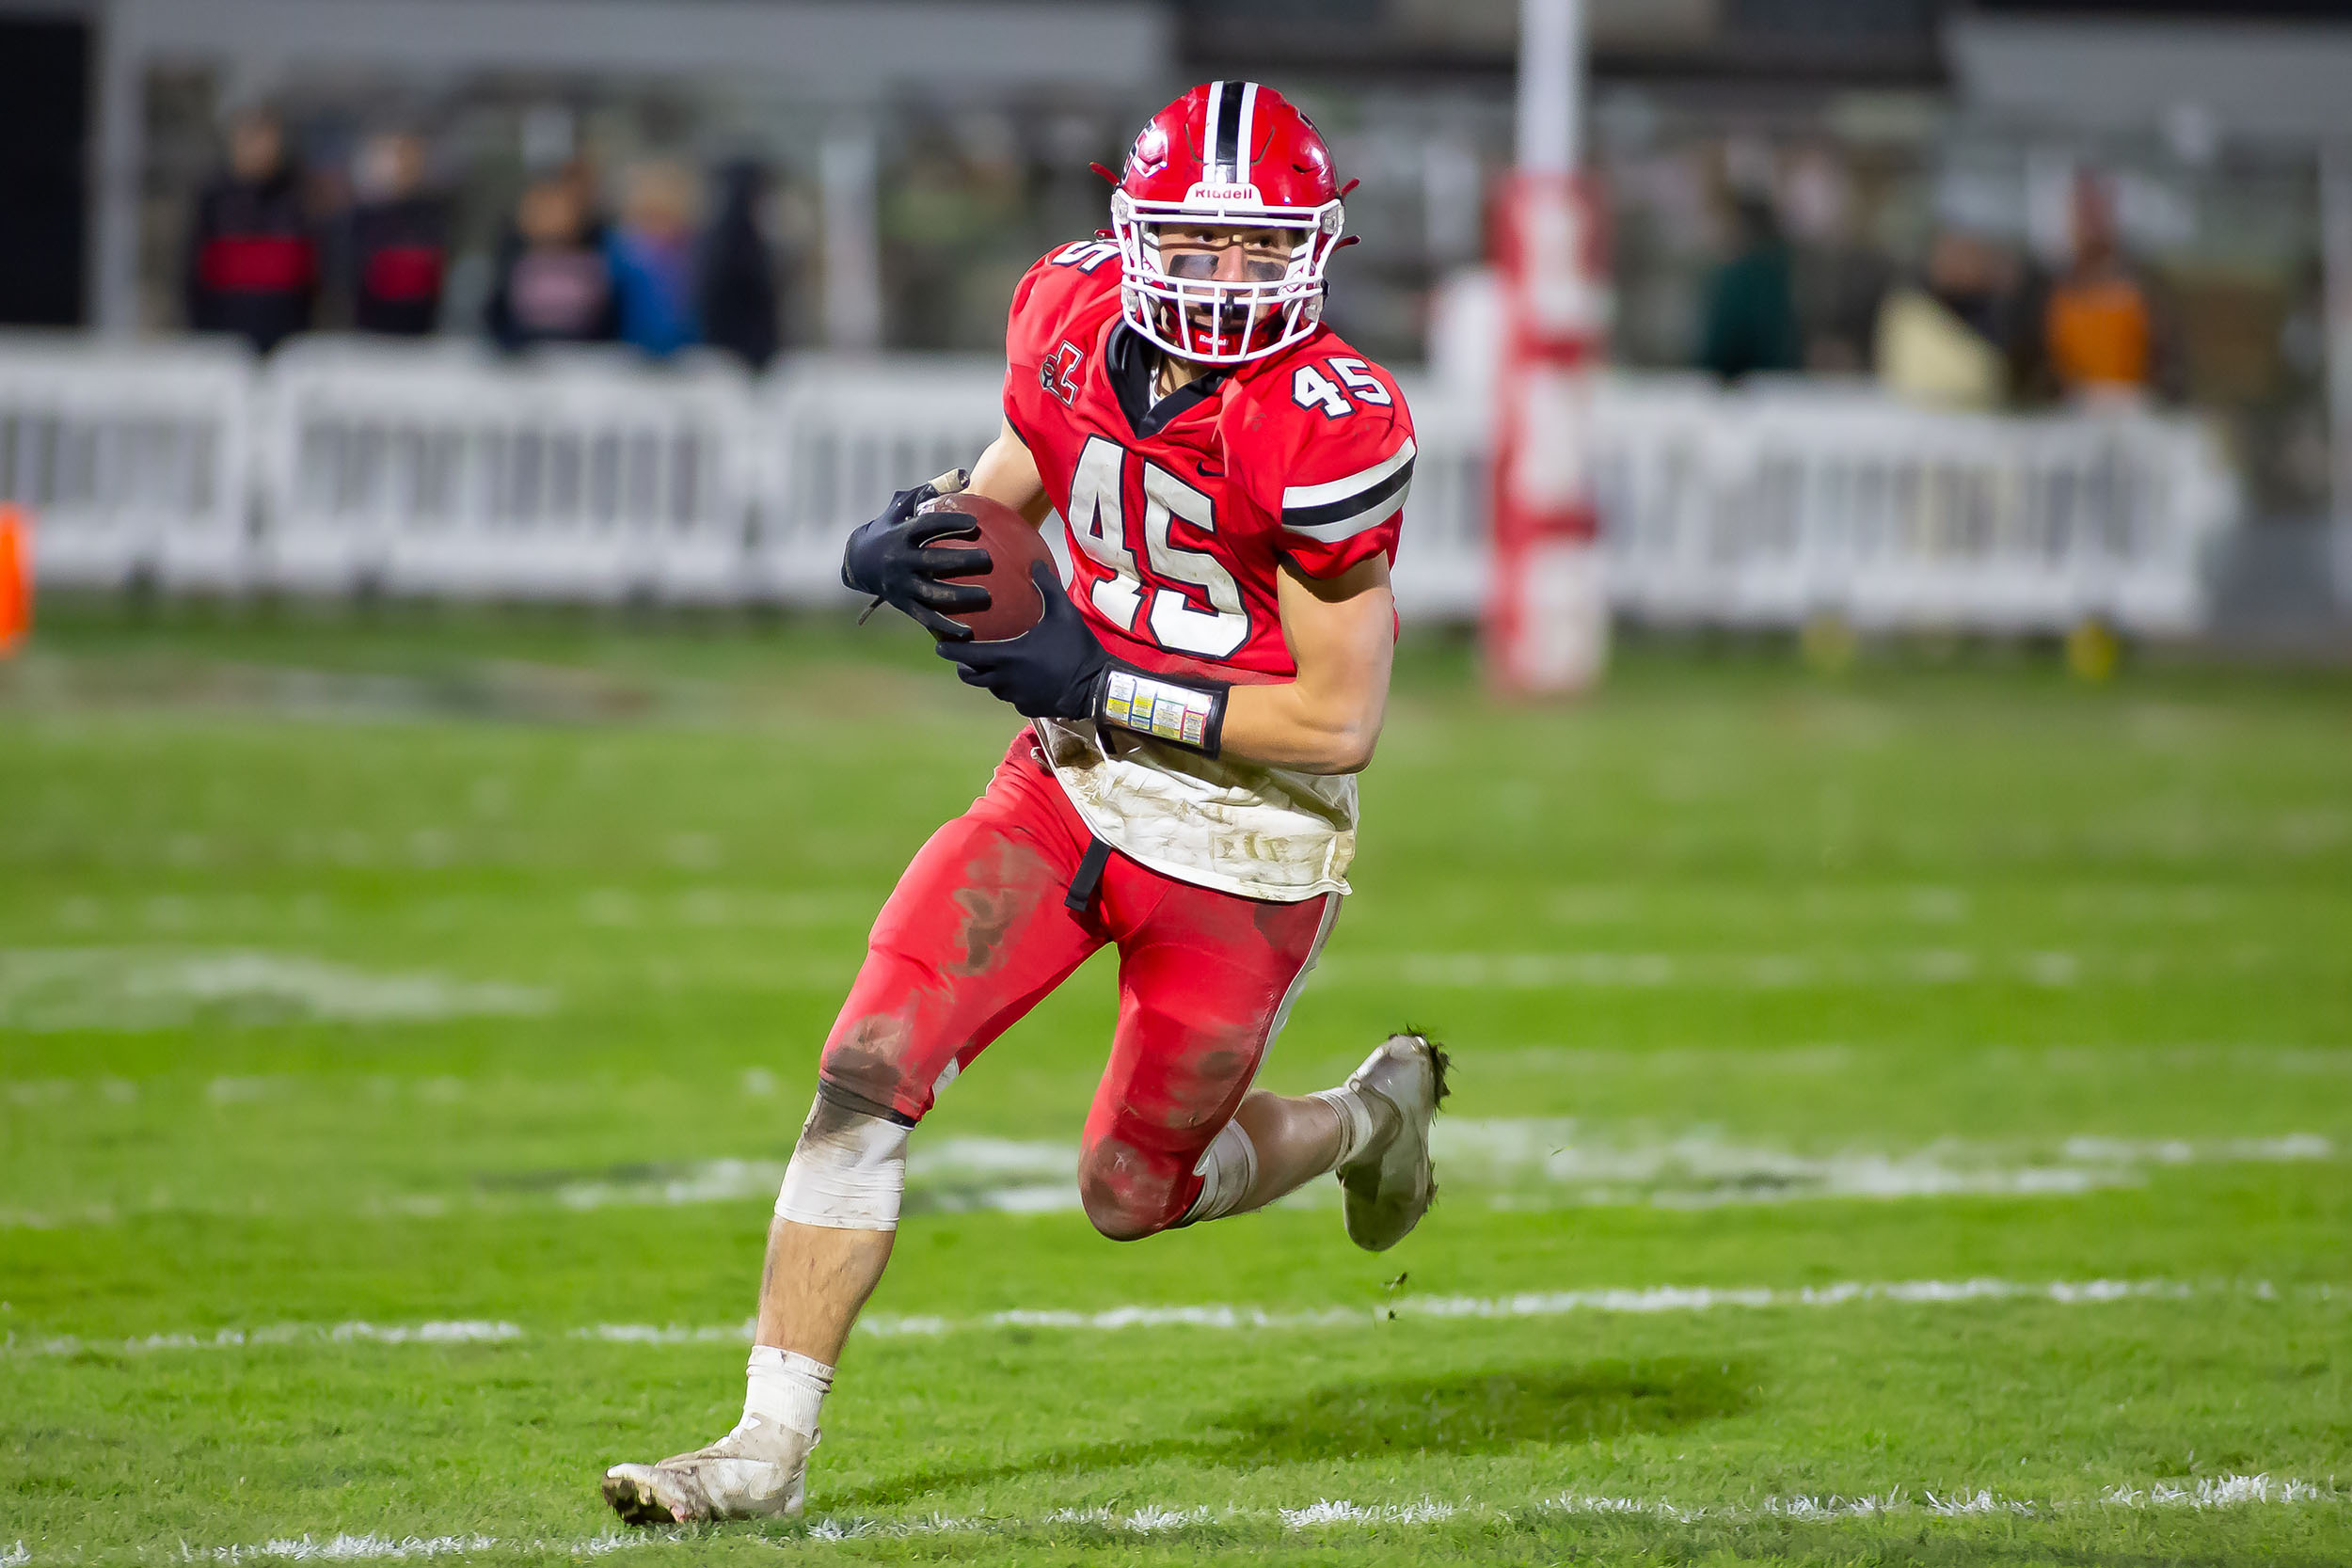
(1770, 509)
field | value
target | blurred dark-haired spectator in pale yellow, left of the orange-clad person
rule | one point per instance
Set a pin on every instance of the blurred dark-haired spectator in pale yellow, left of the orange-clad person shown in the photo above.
(1956, 335)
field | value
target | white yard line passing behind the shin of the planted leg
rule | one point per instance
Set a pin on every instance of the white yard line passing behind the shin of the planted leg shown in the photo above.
(1231, 1318)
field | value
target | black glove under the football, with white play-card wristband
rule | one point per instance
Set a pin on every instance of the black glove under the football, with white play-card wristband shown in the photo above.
(1062, 671)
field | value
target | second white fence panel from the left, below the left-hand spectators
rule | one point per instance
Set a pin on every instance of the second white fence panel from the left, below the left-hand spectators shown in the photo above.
(446, 474)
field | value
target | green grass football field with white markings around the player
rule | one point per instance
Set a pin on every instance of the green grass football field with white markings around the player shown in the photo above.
(1902, 1118)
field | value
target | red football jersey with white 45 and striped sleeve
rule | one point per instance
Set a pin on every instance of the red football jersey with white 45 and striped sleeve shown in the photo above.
(1184, 509)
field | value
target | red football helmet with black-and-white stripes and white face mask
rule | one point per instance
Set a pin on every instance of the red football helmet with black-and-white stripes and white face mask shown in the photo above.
(1227, 156)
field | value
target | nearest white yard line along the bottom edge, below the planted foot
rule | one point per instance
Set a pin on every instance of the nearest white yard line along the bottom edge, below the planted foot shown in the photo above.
(1323, 1515)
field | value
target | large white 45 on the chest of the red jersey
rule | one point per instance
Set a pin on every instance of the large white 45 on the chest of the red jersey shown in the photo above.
(1100, 528)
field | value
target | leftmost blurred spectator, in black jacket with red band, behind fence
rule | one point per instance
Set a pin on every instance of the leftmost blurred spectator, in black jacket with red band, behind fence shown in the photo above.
(253, 255)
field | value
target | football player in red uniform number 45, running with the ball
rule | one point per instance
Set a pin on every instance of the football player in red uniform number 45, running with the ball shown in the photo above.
(1201, 702)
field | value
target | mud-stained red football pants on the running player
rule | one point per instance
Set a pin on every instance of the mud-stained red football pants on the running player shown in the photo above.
(980, 930)
